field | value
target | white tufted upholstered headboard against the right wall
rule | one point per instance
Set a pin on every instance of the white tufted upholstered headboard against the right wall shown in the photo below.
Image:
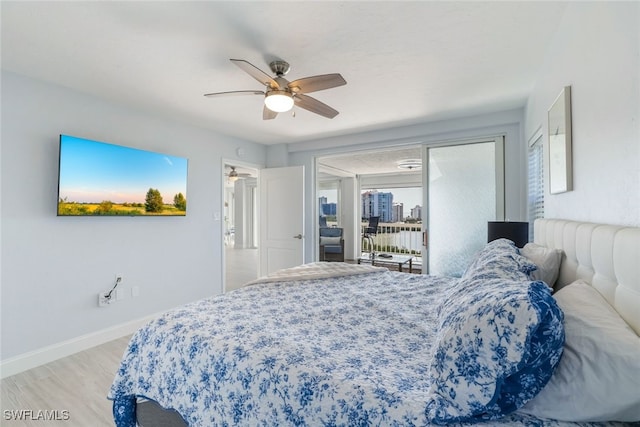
(605, 256)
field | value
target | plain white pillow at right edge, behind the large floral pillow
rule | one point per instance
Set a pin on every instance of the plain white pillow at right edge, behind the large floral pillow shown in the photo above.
(598, 377)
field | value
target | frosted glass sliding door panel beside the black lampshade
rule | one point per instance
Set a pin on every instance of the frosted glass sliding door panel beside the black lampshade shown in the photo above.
(463, 189)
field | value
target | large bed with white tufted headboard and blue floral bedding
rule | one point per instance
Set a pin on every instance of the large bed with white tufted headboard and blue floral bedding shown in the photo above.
(546, 335)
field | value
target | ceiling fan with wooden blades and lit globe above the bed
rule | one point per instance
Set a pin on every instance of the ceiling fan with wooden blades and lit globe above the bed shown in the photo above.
(280, 94)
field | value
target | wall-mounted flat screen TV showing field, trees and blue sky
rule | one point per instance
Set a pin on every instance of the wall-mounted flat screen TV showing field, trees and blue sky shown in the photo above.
(96, 178)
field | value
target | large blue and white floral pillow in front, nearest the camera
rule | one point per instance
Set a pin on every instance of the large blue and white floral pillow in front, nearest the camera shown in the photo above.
(498, 343)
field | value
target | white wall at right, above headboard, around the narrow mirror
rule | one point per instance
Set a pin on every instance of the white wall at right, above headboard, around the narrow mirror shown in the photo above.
(597, 52)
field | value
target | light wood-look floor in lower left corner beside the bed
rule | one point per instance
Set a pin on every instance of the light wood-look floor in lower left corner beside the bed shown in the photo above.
(77, 384)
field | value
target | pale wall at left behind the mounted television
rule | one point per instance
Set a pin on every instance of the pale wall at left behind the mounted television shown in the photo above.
(53, 267)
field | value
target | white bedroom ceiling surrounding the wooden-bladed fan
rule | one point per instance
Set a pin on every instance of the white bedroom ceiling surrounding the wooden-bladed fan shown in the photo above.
(404, 62)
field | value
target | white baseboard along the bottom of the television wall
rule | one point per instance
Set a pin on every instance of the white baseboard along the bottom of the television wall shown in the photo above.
(32, 359)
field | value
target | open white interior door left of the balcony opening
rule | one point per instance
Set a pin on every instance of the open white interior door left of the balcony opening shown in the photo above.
(281, 207)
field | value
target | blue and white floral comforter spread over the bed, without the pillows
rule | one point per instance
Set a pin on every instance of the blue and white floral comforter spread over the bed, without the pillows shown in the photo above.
(349, 351)
